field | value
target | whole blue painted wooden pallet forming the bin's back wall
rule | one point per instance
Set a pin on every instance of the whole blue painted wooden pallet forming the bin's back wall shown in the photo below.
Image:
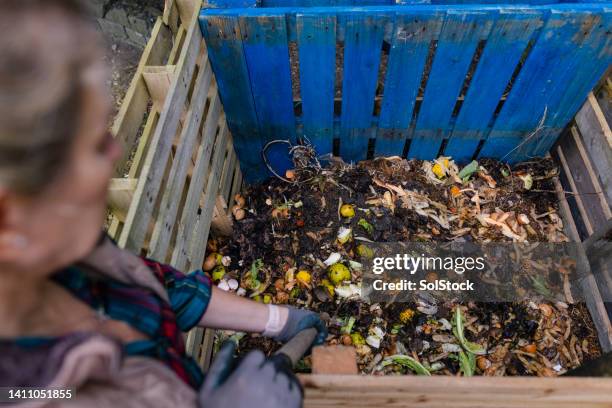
(566, 46)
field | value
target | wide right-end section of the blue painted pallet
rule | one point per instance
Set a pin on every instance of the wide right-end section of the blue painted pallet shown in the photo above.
(554, 66)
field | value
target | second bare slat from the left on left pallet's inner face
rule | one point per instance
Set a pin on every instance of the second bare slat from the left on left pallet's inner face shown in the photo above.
(180, 165)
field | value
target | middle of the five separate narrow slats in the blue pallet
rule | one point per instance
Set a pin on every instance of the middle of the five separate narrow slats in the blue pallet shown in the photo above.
(412, 37)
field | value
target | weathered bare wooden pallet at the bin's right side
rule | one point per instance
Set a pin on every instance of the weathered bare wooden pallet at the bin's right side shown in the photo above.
(584, 153)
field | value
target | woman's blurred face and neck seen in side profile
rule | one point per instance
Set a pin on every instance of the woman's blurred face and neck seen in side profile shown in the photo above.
(62, 223)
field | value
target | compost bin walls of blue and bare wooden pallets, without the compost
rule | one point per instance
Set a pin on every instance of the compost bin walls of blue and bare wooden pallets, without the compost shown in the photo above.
(410, 80)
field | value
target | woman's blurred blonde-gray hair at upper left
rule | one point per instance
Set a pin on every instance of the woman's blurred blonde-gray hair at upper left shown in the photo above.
(44, 47)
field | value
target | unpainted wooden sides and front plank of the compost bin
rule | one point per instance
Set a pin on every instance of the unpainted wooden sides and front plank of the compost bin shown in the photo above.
(179, 172)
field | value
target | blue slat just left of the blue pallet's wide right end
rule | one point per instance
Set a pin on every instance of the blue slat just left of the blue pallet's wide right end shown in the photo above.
(505, 45)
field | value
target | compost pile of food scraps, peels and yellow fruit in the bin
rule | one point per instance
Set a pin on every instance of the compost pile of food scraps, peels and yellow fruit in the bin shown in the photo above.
(298, 242)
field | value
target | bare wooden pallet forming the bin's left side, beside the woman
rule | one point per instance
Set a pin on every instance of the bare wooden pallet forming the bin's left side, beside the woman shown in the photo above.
(179, 166)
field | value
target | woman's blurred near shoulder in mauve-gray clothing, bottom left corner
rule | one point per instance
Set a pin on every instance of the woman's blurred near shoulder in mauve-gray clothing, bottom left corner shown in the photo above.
(94, 367)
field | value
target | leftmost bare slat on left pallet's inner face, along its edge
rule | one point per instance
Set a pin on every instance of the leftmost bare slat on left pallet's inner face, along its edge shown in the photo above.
(139, 216)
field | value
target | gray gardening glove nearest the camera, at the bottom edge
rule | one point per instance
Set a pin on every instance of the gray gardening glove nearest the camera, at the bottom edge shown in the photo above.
(256, 382)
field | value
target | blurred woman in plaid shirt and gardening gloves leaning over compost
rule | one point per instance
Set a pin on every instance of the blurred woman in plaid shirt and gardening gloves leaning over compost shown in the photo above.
(76, 311)
